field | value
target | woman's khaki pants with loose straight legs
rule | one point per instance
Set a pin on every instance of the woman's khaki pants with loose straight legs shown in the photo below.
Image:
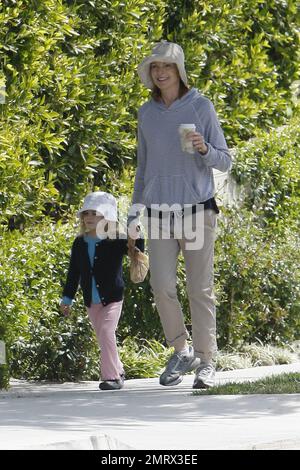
(163, 255)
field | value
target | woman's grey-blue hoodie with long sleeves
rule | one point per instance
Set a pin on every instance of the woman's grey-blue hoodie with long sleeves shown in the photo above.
(166, 174)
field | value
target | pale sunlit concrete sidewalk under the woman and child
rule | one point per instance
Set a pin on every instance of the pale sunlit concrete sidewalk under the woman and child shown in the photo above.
(146, 416)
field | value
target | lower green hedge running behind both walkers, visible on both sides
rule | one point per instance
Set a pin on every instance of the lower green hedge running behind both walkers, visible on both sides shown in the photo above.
(257, 273)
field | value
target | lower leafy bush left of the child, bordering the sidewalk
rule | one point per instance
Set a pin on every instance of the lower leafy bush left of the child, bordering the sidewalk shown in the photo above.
(41, 343)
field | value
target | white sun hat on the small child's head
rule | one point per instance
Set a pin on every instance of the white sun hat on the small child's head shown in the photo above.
(103, 203)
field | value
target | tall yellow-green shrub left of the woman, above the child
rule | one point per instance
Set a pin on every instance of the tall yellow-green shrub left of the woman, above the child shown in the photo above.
(71, 85)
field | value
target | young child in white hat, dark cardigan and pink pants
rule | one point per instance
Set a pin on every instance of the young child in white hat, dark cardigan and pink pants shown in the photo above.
(96, 263)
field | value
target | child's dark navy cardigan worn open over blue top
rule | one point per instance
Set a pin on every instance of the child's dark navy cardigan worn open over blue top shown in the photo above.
(107, 269)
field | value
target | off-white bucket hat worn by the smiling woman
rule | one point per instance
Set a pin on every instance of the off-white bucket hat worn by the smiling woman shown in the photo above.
(164, 51)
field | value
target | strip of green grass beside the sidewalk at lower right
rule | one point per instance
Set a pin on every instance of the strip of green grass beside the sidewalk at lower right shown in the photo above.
(275, 384)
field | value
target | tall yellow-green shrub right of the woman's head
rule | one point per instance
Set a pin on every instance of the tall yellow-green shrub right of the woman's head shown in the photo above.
(243, 54)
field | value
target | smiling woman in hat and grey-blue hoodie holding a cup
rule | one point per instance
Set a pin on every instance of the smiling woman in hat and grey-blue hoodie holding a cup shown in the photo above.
(180, 141)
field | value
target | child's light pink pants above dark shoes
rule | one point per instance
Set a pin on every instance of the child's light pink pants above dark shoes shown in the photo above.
(105, 321)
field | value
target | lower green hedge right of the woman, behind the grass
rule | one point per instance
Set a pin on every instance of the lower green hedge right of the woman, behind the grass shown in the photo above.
(257, 260)
